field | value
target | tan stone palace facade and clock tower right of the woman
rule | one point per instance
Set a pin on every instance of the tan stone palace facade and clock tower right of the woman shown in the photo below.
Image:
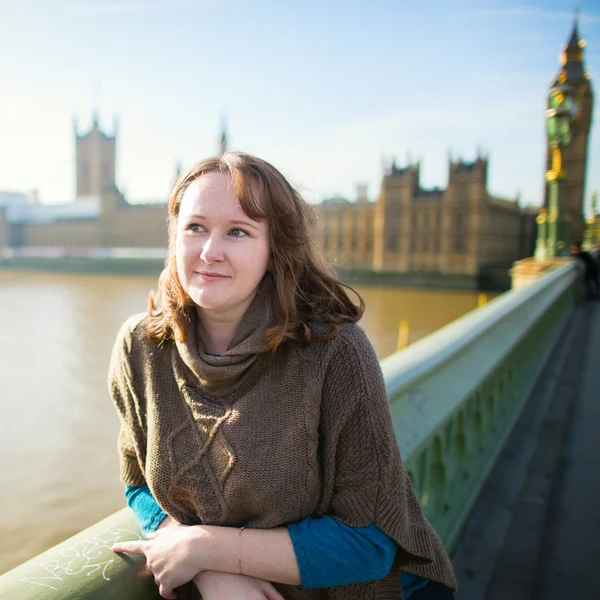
(462, 229)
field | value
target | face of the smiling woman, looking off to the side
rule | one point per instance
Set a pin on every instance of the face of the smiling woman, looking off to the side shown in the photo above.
(222, 254)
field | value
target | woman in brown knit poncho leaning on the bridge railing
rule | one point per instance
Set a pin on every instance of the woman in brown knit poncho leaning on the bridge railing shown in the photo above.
(255, 425)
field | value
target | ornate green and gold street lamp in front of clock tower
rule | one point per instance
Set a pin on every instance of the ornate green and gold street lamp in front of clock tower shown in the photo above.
(554, 227)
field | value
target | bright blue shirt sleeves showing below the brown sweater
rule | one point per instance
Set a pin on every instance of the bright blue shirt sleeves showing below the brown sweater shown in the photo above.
(328, 552)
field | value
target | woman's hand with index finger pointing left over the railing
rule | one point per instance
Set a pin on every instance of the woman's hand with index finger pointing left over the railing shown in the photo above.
(172, 556)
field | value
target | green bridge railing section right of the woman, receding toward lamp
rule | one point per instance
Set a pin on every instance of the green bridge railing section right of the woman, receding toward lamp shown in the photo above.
(456, 394)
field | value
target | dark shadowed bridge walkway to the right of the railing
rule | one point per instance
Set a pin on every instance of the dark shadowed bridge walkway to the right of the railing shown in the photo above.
(534, 532)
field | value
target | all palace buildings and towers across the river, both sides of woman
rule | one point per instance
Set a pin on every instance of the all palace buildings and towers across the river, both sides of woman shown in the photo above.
(460, 230)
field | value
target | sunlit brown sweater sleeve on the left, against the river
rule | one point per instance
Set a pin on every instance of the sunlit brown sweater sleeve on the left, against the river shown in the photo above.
(131, 441)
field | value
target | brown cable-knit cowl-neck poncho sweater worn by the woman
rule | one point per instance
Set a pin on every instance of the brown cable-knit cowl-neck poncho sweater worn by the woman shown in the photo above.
(259, 440)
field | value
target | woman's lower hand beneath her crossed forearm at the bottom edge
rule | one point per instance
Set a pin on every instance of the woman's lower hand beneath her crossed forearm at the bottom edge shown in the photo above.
(214, 585)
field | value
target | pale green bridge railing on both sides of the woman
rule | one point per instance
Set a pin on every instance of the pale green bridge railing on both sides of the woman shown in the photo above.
(454, 396)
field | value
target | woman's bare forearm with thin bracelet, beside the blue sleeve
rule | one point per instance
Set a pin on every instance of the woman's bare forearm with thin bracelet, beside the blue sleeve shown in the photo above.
(262, 553)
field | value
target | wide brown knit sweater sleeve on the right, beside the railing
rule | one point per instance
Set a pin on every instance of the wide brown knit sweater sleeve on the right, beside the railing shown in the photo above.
(365, 481)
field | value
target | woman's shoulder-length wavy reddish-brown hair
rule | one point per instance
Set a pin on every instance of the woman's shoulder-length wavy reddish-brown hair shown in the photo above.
(307, 290)
